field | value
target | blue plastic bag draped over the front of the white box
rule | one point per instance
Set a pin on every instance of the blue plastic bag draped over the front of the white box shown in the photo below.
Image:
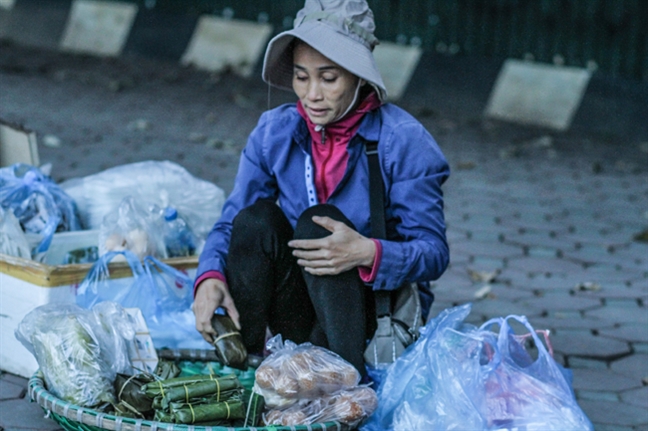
(163, 294)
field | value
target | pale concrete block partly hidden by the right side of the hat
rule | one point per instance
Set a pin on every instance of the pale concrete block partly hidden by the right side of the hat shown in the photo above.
(396, 64)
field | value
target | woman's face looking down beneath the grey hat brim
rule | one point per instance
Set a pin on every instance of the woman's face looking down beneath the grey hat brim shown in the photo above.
(324, 88)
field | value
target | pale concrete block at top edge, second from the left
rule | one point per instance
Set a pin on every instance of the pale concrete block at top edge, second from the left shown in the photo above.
(98, 27)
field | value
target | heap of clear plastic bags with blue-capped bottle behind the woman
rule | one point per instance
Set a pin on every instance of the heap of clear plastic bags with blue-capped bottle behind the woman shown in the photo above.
(127, 204)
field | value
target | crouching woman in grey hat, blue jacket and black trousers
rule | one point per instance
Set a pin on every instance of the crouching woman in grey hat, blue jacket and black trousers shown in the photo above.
(292, 251)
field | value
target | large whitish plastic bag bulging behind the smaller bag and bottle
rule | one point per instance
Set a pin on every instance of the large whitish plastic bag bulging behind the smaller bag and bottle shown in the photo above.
(164, 183)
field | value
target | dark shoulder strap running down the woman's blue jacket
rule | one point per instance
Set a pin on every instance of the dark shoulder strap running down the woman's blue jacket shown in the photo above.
(377, 213)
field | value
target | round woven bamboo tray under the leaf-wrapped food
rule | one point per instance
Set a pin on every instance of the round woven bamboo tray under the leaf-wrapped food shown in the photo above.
(75, 418)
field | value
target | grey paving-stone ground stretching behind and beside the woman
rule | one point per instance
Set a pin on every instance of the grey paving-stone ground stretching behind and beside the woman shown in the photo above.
(546, 219)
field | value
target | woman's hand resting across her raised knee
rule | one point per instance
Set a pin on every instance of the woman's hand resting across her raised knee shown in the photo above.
(342, 250)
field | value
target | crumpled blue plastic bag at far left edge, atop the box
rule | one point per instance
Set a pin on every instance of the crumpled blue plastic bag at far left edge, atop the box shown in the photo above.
(40, 205)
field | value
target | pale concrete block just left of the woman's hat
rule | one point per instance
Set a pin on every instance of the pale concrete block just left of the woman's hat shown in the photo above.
(218, 44)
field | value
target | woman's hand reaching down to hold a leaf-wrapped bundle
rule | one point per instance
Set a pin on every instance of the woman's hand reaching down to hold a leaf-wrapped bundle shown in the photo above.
(211, 294)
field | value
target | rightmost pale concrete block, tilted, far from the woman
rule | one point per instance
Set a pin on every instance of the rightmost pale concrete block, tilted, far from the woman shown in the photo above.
(537, 94)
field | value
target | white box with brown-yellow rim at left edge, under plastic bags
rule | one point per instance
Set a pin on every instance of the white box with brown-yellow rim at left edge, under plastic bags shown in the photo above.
(26, 284)
